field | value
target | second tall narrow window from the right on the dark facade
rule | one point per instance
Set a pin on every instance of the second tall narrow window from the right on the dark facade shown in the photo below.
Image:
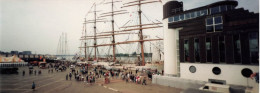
(237, 49)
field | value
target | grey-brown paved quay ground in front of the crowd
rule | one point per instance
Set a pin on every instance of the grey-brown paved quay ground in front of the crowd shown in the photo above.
(56, 83)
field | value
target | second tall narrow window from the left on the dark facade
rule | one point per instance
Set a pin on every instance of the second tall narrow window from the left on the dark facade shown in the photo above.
(197, 49)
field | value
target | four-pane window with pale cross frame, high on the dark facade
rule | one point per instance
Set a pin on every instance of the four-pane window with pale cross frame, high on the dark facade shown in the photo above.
(214, 24)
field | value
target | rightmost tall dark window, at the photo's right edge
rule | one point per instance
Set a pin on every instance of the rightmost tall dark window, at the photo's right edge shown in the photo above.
(253, 45)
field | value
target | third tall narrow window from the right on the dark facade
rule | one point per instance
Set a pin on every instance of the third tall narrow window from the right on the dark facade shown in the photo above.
(222, 50)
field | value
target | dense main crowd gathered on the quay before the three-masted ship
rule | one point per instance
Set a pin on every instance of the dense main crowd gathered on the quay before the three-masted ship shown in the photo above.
(90, 74)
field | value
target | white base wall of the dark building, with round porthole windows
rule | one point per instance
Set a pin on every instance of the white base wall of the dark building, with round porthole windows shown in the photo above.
(230, 73)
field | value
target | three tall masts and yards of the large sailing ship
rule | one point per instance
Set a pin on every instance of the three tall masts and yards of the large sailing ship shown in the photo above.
(123, 30)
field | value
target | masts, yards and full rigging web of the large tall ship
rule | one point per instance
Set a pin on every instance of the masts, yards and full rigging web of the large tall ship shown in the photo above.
(94, 40)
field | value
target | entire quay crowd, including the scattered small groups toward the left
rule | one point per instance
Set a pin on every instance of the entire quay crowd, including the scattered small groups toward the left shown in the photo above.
(90, 74)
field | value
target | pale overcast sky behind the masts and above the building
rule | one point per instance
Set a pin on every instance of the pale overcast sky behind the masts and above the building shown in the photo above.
(36, 25)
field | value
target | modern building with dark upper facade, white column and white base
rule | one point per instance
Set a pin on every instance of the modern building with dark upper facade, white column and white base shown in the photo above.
(216, 43)
